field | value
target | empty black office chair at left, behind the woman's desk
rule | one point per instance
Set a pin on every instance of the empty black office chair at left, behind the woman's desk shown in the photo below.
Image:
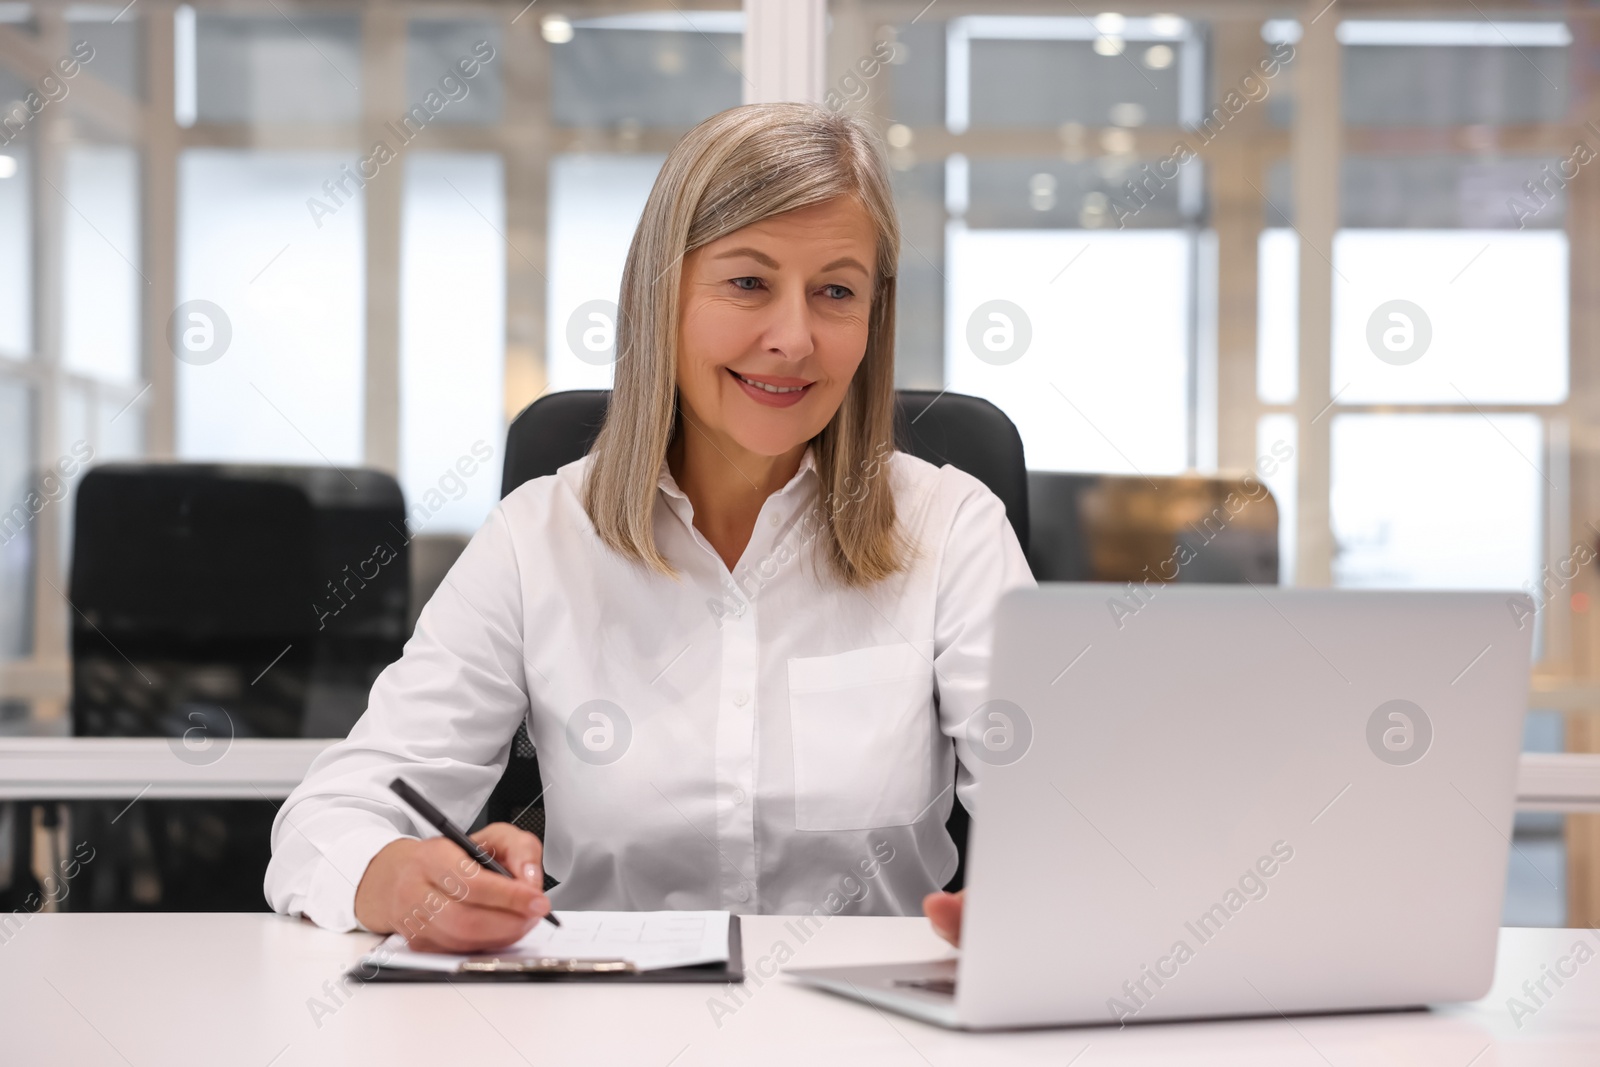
(217, 602)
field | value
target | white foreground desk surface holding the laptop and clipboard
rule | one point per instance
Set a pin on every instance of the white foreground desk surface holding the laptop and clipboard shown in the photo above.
(233, 991)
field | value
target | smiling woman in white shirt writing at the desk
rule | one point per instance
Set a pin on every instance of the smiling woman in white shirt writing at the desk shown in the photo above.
(743, 631)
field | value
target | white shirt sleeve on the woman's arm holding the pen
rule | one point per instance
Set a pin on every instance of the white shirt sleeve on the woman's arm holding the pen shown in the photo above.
(442, 716)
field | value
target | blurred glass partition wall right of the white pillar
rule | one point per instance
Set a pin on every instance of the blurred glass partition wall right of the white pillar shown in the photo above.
(1334, 244)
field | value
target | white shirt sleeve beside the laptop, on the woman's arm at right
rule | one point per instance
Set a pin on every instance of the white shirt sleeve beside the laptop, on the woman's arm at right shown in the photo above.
(983, 561)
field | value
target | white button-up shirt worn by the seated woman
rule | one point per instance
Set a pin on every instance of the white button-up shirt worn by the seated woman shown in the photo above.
(759, 741)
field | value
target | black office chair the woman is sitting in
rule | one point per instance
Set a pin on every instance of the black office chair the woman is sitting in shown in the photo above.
(942, 428)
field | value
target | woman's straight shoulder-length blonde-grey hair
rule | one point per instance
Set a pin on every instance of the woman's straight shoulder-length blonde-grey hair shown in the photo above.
(734, 170)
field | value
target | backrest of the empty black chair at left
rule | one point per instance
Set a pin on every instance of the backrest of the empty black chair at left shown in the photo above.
(201, 570)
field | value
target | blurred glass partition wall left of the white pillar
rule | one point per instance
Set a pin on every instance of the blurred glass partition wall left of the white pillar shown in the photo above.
(314, 234)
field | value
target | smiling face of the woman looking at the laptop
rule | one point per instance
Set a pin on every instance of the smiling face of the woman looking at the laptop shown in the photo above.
(783, 306)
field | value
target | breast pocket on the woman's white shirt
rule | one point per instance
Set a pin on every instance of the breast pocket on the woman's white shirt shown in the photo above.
(863, 725)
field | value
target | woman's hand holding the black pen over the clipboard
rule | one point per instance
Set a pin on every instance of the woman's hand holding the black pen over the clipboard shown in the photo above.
(441, 901)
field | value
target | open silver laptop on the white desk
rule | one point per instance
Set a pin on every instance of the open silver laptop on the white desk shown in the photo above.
(1206, 802)
